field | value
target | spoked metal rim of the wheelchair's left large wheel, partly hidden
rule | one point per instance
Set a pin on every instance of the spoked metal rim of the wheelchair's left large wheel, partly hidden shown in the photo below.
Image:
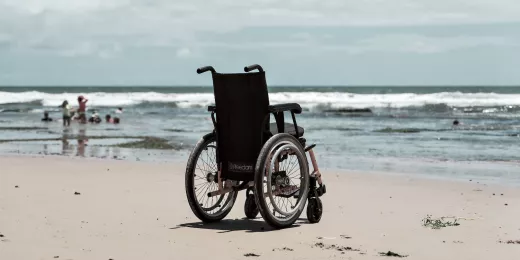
(206, 173)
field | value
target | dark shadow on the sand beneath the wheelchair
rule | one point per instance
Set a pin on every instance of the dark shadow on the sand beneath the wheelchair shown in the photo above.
(229, 225)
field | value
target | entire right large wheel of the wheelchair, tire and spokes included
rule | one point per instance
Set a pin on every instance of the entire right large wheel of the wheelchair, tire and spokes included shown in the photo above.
(281, 180)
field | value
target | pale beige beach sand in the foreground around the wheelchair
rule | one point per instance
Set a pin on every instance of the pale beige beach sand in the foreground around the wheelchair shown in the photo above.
(138, 210)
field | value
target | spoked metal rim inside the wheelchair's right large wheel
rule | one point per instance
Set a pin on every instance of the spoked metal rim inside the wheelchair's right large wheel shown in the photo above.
(292, 165)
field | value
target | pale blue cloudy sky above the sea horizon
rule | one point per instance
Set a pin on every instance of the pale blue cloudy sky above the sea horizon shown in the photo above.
(297, 42)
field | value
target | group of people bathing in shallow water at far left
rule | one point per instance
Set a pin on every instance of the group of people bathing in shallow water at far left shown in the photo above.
(79, 114)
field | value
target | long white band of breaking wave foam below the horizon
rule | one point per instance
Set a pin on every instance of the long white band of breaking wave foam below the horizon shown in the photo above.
(306, 99)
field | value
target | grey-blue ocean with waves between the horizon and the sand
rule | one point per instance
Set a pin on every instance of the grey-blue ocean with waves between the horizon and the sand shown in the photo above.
(403, 130)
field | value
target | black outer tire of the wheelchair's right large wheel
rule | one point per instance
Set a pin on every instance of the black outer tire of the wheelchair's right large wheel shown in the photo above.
(272, 146)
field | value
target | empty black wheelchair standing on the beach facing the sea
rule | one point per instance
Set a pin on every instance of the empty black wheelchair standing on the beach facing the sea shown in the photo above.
(247, 152)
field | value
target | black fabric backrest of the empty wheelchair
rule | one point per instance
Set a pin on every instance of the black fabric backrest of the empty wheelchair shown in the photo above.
(242, 107)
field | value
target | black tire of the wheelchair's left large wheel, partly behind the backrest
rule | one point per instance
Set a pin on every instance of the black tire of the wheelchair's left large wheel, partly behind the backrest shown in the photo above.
(225, 201)
